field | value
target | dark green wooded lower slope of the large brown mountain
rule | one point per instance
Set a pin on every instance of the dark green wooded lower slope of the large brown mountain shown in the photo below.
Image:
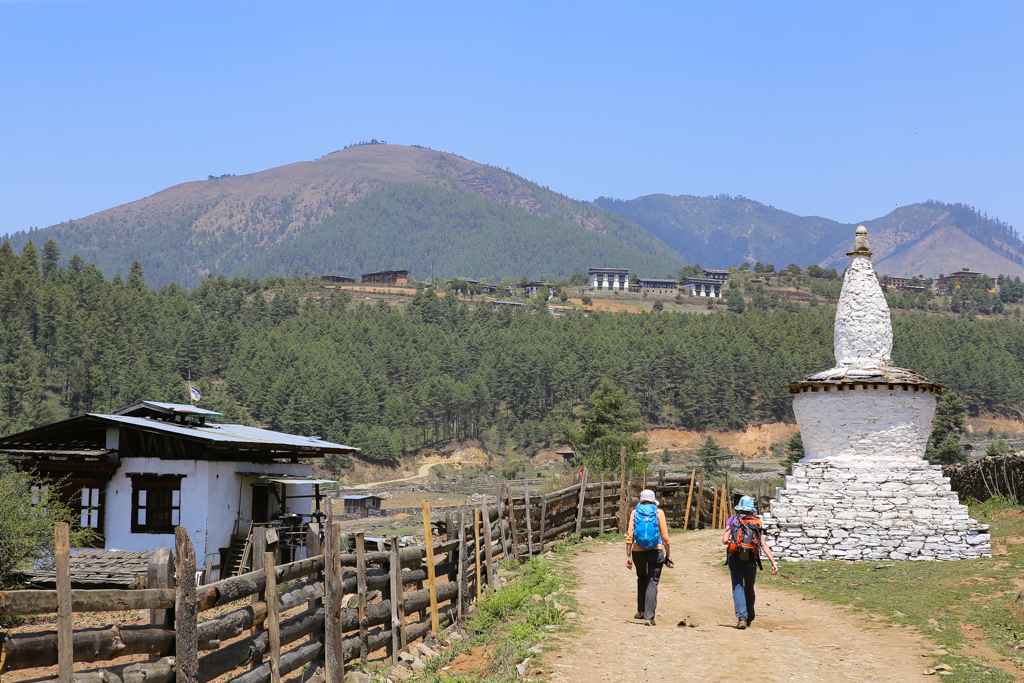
(412, 227)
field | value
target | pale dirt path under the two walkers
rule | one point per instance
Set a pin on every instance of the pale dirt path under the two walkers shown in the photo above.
(794, 639)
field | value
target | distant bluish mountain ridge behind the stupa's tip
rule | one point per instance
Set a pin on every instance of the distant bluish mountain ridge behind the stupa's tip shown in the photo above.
(929, 238)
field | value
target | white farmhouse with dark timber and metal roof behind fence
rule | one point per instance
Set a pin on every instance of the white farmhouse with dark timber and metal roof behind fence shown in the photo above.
(138, 474)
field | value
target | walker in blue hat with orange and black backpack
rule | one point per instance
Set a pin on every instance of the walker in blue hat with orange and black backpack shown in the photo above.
(746, 541)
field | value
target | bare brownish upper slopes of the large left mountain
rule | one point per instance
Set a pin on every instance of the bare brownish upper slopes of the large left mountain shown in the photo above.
(219, 226)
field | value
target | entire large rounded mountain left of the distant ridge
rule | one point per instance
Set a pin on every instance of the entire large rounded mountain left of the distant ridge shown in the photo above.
(222, 225)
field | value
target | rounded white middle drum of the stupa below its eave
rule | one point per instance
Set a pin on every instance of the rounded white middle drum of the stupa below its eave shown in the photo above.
(864, 422)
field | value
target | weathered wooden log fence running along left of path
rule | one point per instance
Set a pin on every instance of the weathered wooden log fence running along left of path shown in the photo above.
(273, 632)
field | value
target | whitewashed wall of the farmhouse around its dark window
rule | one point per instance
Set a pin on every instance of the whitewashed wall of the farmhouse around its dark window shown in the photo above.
(212, 494)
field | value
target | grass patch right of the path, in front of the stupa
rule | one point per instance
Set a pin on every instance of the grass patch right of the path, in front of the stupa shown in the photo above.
(974, 610)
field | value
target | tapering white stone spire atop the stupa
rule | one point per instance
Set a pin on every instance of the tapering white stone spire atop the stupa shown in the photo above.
(864, 332)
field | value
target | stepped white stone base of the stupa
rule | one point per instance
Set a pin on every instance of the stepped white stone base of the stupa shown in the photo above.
(872, 509)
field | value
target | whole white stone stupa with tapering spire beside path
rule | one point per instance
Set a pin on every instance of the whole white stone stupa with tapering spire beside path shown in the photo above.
(864, 490)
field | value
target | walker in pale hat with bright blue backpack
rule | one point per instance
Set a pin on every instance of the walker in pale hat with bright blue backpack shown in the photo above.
(648, 548)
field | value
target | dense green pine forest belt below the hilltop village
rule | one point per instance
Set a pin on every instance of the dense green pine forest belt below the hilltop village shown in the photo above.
(298, 357)
